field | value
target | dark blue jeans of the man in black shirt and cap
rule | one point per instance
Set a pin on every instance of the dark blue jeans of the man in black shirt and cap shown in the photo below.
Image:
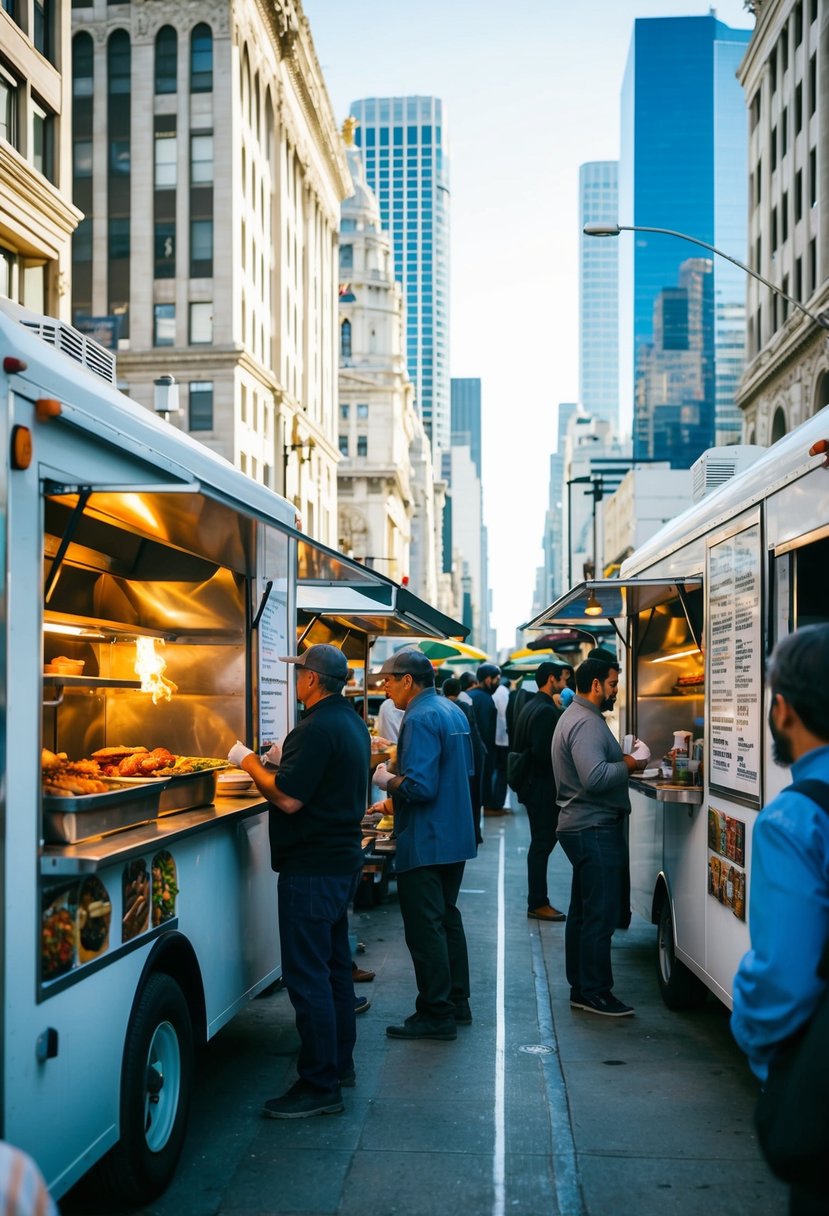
(317, 969)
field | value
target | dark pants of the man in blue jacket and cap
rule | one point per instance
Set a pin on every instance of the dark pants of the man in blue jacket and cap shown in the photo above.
(436, 938)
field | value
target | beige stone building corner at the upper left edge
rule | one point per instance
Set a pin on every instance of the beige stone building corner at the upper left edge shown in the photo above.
(37, 217)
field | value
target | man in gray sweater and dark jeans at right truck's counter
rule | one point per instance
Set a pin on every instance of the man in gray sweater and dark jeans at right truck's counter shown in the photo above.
(591, 778)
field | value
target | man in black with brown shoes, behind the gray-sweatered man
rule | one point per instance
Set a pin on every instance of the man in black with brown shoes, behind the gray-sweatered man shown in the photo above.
(534, 734)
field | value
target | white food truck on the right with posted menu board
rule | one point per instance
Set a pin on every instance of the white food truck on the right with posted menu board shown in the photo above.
(700, 609)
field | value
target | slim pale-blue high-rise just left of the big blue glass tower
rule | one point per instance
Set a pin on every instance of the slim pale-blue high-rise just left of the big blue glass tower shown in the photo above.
(599, 292)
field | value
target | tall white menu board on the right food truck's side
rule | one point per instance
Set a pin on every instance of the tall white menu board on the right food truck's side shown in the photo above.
(735, 663)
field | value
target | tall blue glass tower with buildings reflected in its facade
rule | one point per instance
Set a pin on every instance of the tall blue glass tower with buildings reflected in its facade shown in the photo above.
(683, 167)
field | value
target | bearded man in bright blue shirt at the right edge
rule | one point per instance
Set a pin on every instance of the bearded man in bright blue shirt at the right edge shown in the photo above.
(777, 988)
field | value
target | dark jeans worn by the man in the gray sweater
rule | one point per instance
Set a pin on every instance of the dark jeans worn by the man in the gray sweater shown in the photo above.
(600, 863)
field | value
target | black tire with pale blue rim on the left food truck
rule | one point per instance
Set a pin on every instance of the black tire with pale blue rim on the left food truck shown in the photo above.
(157, 1076)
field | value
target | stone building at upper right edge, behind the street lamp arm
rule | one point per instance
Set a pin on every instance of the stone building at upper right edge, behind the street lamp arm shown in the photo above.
(787, 89)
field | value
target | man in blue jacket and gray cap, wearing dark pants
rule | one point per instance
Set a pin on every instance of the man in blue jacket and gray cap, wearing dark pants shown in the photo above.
(436, 838)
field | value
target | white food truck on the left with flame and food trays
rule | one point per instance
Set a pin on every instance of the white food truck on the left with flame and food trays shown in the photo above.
(146, 589)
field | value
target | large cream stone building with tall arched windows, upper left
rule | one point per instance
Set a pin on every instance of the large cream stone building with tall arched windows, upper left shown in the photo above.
(210, 171)
